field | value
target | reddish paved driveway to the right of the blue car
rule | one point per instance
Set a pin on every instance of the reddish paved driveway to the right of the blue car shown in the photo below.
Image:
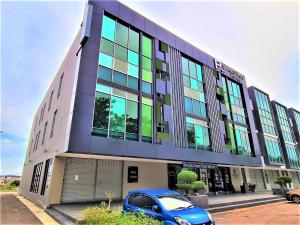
(282, 213)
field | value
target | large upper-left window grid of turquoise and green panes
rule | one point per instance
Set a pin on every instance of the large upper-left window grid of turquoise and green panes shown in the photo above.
(119, 54)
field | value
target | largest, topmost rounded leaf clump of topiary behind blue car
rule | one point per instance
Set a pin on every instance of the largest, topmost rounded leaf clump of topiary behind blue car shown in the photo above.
(185, 180)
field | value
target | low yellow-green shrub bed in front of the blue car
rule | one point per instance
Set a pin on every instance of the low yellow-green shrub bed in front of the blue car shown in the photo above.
(102, 216)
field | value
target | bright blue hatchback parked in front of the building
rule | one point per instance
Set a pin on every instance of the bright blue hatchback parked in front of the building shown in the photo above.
(167, 206)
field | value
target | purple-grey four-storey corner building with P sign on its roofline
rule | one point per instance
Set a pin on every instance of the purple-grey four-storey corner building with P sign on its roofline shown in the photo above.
(130, 106)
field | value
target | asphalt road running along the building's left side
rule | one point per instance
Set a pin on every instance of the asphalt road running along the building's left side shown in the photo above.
(14, 212)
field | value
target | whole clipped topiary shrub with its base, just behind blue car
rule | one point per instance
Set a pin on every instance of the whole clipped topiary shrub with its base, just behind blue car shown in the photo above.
(187, 182)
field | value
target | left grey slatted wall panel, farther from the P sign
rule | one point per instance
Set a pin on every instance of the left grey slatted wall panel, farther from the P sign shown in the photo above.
(177, 99)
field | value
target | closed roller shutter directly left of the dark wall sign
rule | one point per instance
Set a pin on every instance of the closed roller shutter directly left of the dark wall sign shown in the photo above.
(109, 178)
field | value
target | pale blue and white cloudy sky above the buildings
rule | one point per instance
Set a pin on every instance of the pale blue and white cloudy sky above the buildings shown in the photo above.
(258, 39)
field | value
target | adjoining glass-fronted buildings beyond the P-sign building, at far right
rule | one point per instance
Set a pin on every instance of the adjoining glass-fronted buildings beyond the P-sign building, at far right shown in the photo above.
(277, 143)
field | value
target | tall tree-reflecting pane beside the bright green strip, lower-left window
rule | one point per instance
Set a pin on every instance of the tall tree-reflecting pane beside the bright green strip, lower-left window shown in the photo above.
(131, 120)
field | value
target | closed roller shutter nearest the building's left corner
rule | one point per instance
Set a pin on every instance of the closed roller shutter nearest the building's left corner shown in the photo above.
(79, 178)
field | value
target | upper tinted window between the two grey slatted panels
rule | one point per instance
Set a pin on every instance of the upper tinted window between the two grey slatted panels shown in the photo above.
(195, 103)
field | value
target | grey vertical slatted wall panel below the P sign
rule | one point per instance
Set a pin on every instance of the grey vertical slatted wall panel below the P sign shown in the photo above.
(217, 141)
